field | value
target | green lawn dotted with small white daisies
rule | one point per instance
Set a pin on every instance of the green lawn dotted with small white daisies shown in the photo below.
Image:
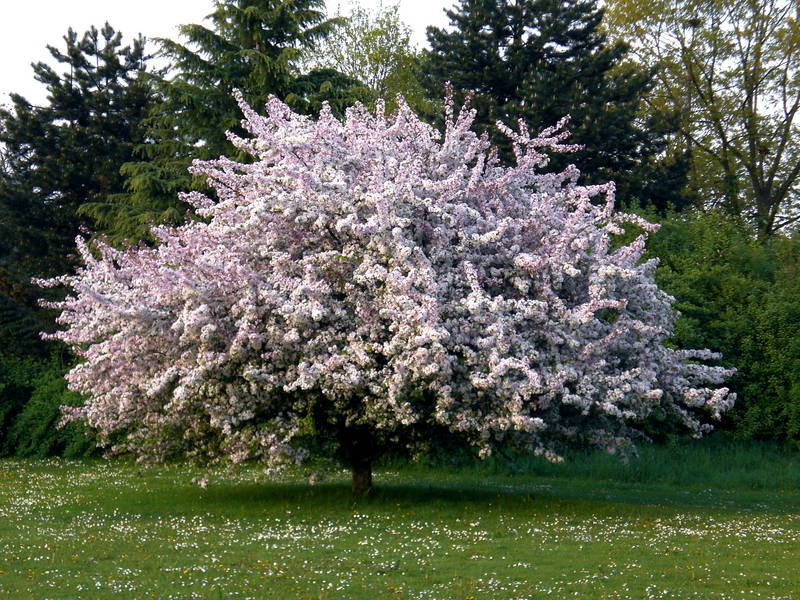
(701, 521)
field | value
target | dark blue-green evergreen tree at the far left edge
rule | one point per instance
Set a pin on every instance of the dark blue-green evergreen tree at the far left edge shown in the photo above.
(58, 157)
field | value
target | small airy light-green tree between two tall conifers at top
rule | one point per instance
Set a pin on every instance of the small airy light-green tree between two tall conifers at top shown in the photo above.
(374, 47)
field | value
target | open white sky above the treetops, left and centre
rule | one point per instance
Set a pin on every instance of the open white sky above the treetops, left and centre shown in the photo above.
(28, 26)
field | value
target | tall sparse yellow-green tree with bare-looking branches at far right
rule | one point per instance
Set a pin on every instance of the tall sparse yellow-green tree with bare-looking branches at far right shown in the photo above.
(731, 69)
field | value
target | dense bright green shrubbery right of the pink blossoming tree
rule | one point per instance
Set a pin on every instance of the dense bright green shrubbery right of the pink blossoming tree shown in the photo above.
(742, 298)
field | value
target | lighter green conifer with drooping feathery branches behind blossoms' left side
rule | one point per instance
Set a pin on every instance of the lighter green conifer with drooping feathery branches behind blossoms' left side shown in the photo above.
(250, 45)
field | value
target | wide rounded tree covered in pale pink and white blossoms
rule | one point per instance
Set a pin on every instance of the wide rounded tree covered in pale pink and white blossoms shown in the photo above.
(359, 284)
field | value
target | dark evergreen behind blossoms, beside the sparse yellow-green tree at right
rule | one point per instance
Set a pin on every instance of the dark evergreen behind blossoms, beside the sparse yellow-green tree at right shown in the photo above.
(539, 60)
